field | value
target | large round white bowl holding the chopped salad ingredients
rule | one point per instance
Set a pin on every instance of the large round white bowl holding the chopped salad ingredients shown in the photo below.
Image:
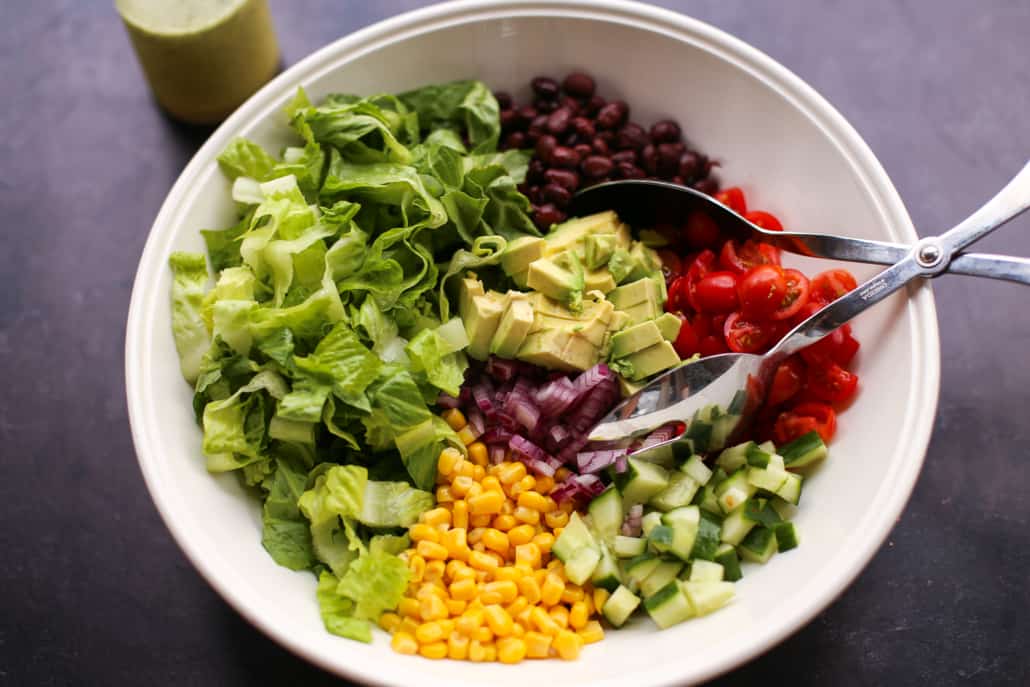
(793, 154)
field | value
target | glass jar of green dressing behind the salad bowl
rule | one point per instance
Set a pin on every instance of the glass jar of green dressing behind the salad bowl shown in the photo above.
(203, 58)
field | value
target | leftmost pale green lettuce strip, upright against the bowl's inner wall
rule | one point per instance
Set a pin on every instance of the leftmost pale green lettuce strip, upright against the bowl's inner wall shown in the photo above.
(192, 337)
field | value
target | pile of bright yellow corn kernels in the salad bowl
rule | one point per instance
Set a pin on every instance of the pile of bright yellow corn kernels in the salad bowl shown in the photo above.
(484, 587)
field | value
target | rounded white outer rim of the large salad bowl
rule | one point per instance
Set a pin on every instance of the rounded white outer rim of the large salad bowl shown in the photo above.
(921, 311)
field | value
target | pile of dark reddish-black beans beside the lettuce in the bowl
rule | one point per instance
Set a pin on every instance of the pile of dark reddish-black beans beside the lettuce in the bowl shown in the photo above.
(579, 140)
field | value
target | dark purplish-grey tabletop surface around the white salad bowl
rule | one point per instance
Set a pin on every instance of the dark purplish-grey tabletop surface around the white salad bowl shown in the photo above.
(93, 591)
